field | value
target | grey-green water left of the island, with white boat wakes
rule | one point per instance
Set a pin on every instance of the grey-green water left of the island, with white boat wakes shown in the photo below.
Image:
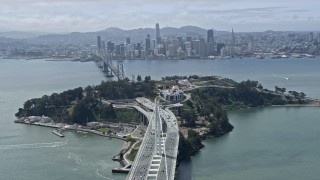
(34, 153)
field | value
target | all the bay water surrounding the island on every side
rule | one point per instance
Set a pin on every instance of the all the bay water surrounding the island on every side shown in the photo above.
(267, 143)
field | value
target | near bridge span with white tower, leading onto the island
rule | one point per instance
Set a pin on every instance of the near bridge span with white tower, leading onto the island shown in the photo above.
(157, 155)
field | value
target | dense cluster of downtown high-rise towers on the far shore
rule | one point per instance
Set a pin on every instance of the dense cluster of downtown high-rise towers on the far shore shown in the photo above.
(166, 47)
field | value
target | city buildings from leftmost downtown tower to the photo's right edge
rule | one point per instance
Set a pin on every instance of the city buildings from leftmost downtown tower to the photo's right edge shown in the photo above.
(210, 46)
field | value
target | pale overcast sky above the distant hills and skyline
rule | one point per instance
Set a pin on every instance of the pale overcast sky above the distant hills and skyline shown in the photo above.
(94, 15)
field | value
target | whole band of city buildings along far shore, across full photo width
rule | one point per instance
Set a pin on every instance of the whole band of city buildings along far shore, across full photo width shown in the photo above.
(204, 44)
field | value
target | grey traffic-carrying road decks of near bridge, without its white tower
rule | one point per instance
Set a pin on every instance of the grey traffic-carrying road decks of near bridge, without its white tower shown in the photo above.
(145, 166)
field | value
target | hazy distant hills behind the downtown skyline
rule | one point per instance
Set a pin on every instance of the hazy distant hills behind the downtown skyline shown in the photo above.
(109, 34)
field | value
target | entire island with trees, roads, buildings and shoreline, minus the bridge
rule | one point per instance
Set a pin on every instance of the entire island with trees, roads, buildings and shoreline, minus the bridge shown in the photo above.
(202, 106)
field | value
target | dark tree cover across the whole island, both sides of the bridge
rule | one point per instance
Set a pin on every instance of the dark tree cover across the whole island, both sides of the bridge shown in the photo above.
(203, 113)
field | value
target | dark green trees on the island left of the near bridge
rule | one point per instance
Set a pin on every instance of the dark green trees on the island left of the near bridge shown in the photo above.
(84, 105)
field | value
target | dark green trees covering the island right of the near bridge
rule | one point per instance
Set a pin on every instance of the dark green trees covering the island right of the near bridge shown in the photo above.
(210, 104)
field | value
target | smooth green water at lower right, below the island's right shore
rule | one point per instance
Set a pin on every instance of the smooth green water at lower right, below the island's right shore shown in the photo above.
(267, 143)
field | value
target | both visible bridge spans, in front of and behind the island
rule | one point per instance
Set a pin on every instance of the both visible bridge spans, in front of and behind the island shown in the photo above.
(157, 155)
